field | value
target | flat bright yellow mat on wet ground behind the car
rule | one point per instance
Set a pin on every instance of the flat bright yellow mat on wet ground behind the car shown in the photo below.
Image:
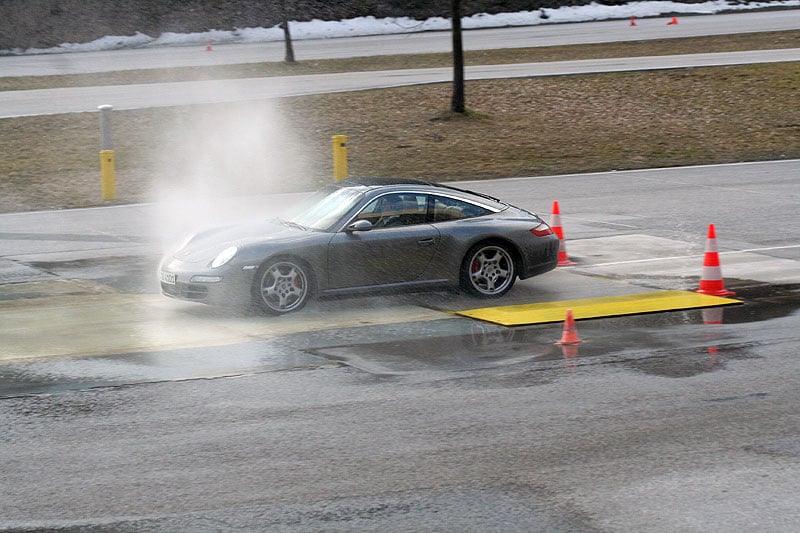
(606, 306)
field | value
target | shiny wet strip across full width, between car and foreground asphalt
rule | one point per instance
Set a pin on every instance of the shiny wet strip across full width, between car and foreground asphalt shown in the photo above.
(670, 344)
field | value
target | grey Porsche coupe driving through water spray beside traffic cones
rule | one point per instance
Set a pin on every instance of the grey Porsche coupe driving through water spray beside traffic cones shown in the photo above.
(363, 236)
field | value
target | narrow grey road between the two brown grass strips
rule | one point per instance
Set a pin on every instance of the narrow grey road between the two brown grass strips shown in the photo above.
(86, 99)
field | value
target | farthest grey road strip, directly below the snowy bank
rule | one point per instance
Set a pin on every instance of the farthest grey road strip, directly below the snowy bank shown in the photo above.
(414, 43)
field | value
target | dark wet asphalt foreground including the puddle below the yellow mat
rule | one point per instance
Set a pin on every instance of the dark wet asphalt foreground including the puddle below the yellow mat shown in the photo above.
(658, 423)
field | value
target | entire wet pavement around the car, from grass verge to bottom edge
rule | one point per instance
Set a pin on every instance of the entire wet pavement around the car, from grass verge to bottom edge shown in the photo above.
(124, 410)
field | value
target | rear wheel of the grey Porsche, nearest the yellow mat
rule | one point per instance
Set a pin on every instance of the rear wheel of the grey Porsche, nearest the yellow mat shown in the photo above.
(489, 270)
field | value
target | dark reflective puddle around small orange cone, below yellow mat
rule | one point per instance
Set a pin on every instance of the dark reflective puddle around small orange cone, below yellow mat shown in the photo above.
(669, 344)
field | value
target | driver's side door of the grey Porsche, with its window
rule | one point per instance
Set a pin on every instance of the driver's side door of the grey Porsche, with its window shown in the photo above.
(397, 249)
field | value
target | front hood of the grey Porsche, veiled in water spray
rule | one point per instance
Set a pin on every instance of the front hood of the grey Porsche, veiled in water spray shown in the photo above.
(206, 245)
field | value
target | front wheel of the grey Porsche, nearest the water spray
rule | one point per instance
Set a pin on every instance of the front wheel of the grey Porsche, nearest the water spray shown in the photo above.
(282, 285)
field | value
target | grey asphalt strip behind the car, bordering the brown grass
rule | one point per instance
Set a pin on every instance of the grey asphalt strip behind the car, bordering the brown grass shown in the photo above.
(752, 204)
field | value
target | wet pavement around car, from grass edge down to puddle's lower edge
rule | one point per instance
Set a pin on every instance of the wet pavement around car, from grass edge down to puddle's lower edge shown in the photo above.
(84, 310)
